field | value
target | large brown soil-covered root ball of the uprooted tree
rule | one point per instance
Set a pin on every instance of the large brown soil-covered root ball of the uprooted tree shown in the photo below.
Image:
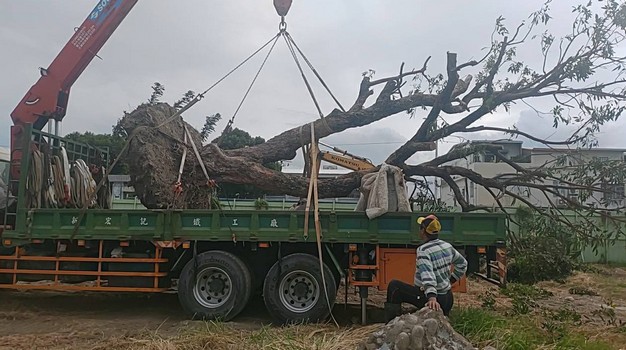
(154, 155)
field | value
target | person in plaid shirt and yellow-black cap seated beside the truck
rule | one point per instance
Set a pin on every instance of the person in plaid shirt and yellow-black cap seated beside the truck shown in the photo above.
(438, 266)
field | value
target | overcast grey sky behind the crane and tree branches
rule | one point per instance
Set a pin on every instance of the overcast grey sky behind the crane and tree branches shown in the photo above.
(189, 44)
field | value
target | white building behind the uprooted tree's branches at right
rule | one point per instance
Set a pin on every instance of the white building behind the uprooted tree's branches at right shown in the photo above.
(487, 165)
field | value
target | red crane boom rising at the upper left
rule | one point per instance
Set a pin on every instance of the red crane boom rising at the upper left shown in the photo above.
(47, 99)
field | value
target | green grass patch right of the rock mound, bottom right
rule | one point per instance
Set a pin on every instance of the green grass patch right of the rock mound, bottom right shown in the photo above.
(484, 327)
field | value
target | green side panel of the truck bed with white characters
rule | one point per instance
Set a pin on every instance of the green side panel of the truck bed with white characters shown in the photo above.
(286, 226)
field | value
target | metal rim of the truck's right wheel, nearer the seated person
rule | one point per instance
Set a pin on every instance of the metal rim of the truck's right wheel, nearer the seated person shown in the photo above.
(299, 291)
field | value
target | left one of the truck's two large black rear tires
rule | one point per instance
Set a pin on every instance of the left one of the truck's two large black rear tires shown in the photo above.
(216, 287)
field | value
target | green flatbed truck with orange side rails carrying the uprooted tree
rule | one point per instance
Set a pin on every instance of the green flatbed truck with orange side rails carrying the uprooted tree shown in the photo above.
(217, 259)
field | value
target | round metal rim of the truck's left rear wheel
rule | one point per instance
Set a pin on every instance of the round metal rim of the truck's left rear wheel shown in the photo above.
(213, 287)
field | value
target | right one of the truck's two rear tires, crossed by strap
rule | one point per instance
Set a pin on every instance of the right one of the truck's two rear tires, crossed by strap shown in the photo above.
(293, 290)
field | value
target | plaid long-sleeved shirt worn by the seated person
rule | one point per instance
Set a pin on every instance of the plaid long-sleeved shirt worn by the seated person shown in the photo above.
(435, 260)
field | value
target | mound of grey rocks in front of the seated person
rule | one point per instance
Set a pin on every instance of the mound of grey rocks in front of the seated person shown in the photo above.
(423, 330)
